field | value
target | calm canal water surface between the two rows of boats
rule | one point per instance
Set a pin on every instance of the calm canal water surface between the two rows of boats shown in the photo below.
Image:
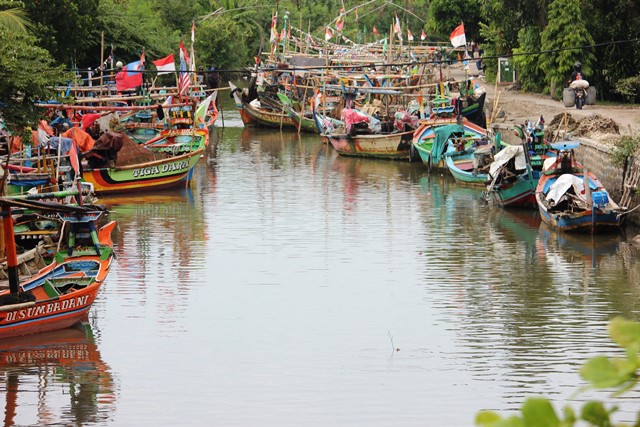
(289, 286)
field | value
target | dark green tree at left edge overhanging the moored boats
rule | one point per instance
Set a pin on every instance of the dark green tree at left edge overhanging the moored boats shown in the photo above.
(27, 74)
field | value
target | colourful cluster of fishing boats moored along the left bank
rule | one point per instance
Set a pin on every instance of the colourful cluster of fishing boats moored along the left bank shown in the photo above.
(56, 246)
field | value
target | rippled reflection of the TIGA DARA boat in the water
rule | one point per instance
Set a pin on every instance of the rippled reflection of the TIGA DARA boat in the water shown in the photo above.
(172, 222)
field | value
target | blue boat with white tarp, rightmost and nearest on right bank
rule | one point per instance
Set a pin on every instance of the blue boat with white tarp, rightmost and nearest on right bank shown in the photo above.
(570, 198)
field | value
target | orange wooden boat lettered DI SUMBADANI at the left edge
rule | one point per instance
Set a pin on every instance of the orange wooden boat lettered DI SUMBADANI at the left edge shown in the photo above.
(61, 294)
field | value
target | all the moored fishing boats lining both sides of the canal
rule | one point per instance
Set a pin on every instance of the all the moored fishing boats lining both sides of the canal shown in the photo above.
(365, 106)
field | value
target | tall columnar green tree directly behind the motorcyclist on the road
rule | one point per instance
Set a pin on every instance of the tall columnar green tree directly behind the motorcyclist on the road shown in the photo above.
(565, 29)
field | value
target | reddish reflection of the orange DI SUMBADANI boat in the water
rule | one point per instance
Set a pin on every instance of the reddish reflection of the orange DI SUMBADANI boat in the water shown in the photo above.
(54, 368)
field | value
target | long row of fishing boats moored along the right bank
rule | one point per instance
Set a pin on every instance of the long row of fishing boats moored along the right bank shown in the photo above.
(405, 113)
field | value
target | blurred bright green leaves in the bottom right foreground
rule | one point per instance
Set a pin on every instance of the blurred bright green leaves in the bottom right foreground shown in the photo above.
(618, 373)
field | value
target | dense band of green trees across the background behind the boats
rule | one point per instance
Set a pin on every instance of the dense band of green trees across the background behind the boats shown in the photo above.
(229, 33)
